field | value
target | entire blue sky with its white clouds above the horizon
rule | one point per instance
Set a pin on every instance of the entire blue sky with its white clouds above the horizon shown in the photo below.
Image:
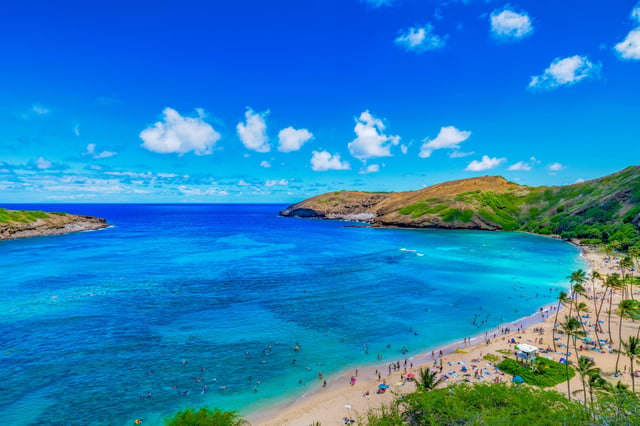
(276, 101)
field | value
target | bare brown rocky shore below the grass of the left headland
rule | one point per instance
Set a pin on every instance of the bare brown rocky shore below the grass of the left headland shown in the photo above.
(54, 224)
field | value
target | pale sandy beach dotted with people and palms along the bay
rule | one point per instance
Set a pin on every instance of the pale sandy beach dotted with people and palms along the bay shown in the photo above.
(462, 361)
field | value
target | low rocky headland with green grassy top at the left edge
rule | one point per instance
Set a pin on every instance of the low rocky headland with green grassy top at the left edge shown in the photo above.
(24, 224)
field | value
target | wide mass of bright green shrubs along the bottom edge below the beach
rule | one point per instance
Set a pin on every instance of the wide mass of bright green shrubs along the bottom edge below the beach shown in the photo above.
(492, 404)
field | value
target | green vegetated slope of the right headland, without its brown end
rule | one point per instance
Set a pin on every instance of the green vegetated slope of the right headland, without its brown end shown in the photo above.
(600, 211)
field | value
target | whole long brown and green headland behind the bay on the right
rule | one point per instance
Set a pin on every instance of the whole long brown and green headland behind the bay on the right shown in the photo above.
(602, 210)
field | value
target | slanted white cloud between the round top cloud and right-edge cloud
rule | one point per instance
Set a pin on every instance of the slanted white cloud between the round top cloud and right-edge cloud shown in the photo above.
(565, 72)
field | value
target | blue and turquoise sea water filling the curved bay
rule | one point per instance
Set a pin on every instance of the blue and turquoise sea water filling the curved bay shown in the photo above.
(192, 305)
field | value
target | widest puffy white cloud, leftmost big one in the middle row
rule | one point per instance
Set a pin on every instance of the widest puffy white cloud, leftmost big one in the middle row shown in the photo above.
(178, 134)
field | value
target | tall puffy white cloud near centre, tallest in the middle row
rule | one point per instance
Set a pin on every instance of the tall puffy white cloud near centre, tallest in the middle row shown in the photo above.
(370, 141)
